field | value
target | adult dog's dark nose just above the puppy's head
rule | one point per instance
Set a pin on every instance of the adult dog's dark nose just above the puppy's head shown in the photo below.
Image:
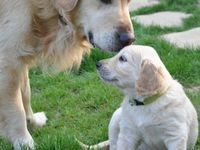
(126, 38)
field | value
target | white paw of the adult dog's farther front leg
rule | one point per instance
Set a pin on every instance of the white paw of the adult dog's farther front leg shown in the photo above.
(40, 119)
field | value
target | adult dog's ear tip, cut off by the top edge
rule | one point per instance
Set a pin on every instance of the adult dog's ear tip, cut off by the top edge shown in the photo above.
(67, 5)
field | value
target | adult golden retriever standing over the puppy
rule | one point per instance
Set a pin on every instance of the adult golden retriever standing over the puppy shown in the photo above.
(57, 33)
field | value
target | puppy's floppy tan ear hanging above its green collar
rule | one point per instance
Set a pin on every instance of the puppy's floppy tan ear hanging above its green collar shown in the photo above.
(151, 79)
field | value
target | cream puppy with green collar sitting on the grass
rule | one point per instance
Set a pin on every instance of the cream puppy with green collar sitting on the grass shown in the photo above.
(155, 114)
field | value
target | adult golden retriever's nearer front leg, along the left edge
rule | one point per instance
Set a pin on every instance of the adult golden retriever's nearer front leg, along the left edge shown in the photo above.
(12, 115)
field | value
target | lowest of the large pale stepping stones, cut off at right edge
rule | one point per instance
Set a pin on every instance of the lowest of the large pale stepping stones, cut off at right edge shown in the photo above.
(189, 38)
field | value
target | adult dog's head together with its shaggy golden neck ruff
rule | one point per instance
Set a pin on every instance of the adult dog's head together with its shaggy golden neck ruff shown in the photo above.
(67, 28)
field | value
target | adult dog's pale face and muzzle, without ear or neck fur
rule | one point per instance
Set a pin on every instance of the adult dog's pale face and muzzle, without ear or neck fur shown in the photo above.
(106, 23)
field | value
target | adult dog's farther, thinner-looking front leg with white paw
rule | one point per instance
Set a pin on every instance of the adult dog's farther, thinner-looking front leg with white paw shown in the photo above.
(38, 119)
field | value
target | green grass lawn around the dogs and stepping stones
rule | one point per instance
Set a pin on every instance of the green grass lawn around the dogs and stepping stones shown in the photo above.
(78, 104)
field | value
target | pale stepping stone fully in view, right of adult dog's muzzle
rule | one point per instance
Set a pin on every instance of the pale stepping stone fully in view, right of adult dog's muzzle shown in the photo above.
(163, 19)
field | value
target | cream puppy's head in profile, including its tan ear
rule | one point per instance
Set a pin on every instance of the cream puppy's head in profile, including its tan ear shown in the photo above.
(136, 69)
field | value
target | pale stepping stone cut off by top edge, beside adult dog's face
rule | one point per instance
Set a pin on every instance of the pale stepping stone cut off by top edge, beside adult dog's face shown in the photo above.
(137, 4)
